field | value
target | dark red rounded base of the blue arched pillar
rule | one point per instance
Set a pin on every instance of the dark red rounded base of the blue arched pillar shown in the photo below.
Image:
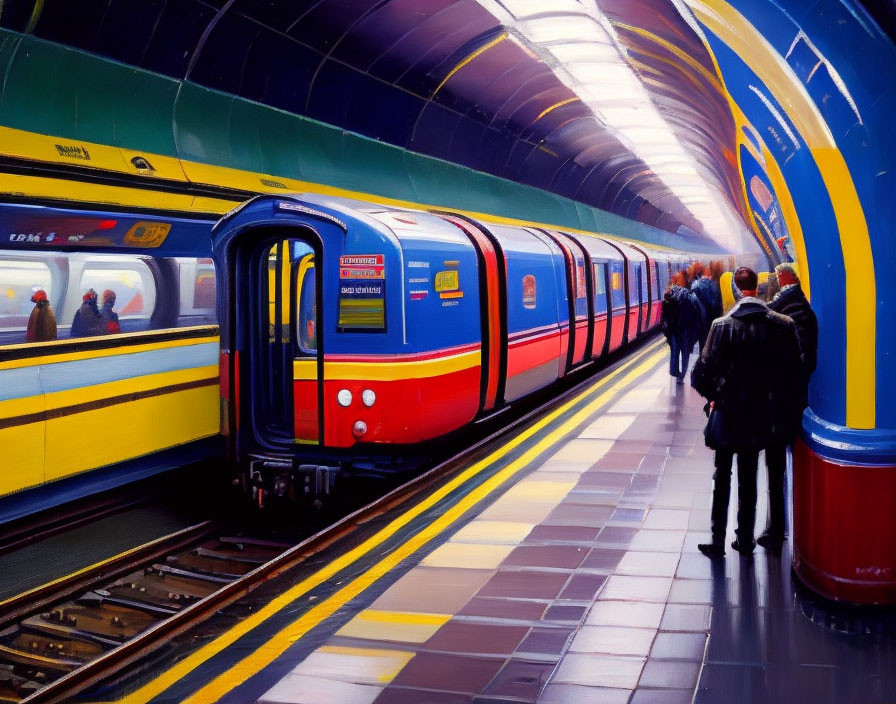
(844, 533)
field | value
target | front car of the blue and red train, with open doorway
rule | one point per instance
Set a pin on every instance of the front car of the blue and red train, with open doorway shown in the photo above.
(344, 326)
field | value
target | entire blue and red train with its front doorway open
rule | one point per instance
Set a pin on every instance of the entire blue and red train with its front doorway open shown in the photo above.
(348, 325)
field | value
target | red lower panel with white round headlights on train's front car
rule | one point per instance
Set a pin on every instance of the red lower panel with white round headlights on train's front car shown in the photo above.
(405, 410)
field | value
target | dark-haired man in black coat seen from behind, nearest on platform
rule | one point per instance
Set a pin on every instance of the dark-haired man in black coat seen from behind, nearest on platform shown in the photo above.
(749, 373)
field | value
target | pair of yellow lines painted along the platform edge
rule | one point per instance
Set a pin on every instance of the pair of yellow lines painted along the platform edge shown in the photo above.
(227, 680)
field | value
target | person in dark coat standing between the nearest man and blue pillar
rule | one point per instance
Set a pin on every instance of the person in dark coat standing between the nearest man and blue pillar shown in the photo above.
(792, 302)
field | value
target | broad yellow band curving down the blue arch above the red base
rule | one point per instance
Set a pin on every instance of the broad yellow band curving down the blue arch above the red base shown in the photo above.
(861, 293)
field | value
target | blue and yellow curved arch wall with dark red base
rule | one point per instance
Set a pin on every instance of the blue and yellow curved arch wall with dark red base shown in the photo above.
(823, 114)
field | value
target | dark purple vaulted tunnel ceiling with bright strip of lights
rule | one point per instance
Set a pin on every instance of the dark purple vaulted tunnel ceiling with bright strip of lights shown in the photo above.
(616, 105)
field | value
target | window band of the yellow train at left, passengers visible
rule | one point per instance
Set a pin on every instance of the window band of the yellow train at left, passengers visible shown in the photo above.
(46, 296)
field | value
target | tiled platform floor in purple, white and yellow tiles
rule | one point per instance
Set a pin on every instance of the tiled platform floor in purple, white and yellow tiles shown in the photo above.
(582, 583)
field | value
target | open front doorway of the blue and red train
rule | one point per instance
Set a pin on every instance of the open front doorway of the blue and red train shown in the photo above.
(275, 317)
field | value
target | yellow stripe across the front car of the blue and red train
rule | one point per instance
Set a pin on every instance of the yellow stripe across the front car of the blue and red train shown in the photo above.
(305, 369)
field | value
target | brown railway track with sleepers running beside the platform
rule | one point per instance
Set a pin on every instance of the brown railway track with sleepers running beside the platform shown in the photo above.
(64, 637)
